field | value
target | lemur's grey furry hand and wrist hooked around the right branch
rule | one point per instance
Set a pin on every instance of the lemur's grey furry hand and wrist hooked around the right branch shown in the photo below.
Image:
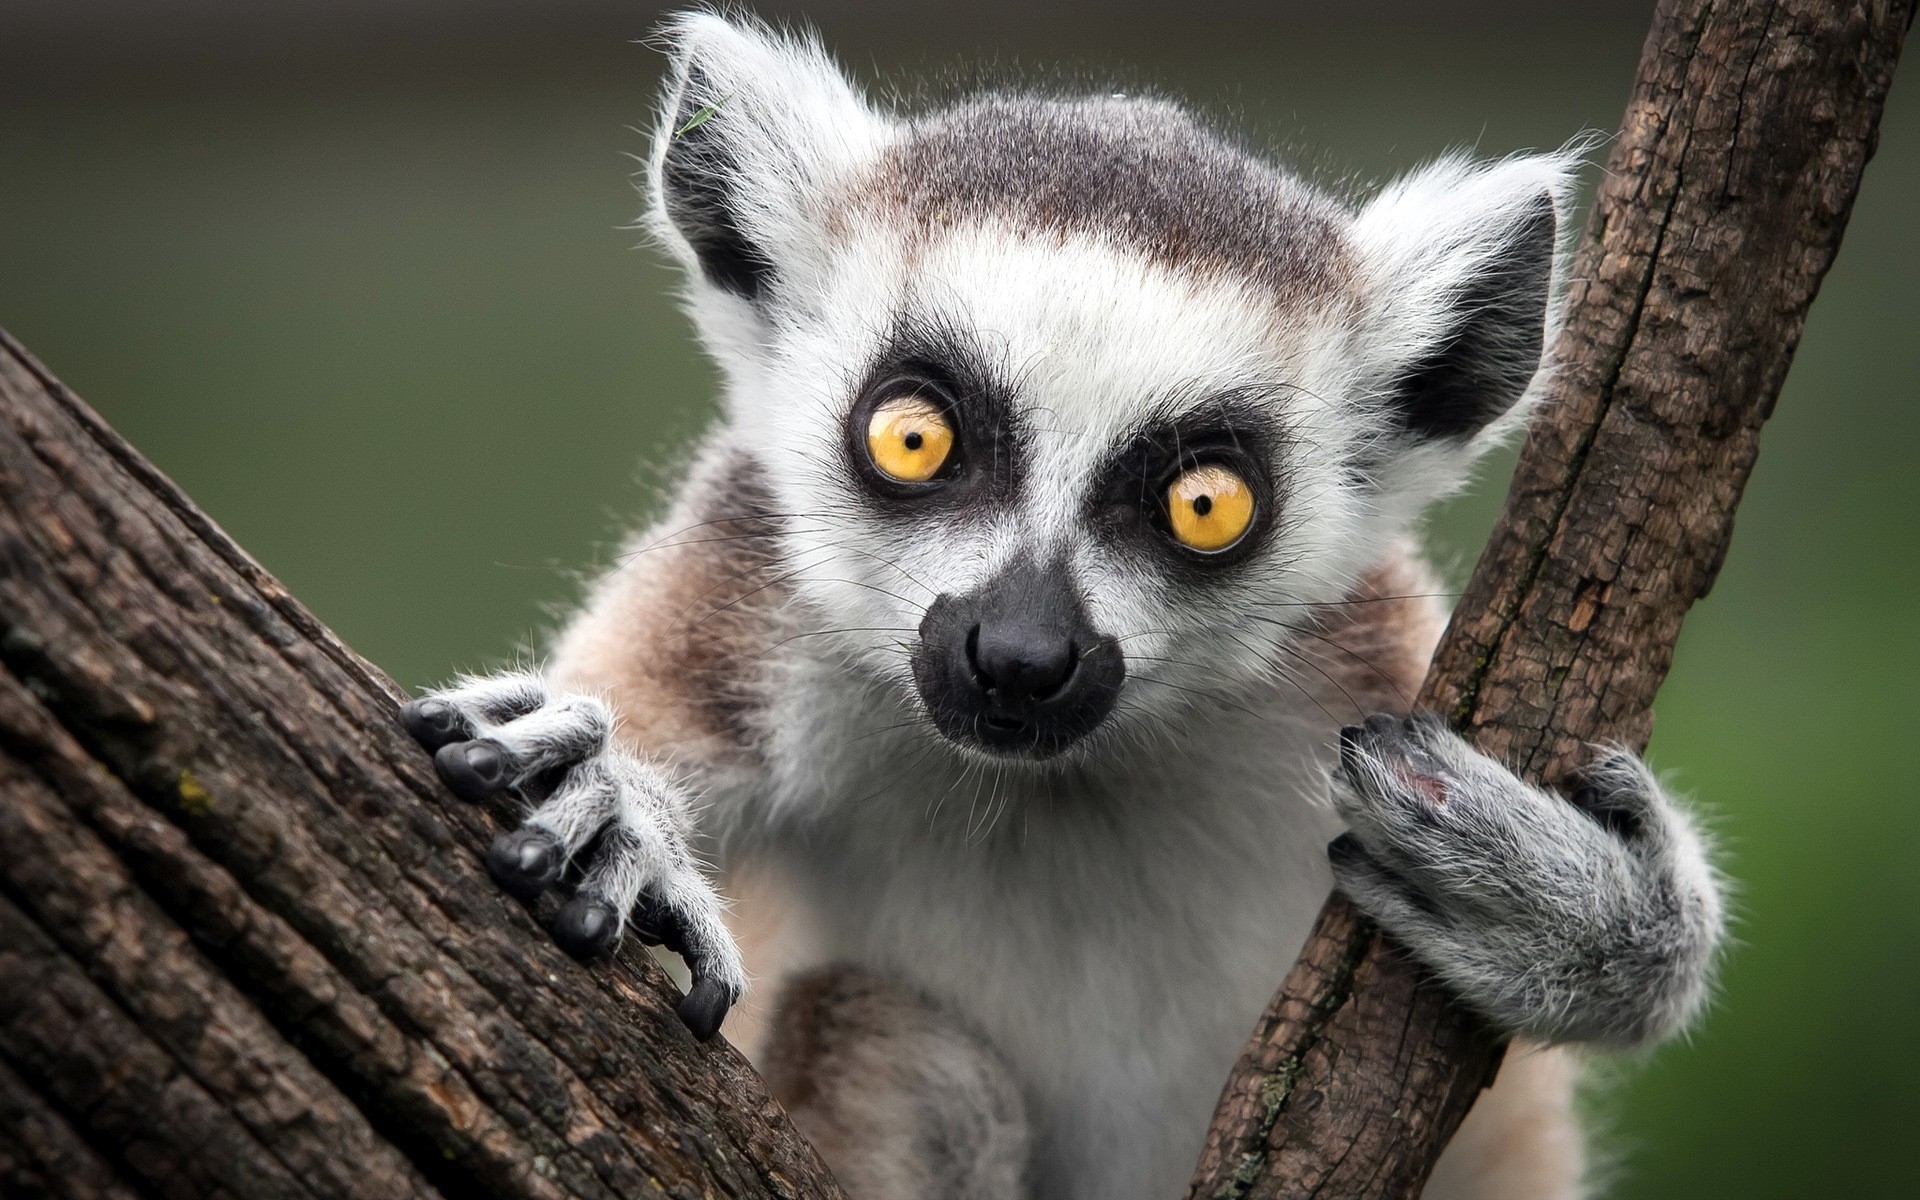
(1589, 921)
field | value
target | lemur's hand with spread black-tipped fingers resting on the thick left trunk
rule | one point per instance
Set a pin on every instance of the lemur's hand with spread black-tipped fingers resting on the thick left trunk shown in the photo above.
(592, 802)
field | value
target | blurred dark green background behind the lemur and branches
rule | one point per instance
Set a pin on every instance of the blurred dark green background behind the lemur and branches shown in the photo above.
(356, 276)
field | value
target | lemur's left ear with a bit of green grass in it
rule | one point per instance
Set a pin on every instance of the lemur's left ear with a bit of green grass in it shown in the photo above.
(752, 128)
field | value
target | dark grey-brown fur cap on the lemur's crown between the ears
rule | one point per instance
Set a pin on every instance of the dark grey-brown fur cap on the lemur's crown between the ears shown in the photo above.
(1141, 174)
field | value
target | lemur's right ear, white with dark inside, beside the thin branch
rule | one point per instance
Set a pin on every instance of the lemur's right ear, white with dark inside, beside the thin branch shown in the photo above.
(1464, 277)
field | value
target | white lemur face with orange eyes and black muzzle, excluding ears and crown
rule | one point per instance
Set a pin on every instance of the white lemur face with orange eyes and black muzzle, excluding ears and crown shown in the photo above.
(1078, 469)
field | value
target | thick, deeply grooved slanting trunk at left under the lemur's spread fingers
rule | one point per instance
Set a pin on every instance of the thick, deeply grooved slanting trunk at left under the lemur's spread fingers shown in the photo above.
(247, 944)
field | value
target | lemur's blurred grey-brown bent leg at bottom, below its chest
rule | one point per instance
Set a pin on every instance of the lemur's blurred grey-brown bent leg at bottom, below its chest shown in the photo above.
(901, 1099)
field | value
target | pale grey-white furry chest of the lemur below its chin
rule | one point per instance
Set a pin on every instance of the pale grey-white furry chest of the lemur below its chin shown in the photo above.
(1115, 936)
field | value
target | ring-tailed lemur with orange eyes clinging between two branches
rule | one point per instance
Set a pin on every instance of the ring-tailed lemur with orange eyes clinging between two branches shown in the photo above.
(1032, 644)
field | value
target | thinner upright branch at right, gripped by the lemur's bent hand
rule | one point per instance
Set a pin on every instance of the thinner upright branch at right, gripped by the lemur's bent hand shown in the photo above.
(1721, 210)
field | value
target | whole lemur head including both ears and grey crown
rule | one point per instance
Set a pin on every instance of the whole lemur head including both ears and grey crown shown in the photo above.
(1072, 400)
